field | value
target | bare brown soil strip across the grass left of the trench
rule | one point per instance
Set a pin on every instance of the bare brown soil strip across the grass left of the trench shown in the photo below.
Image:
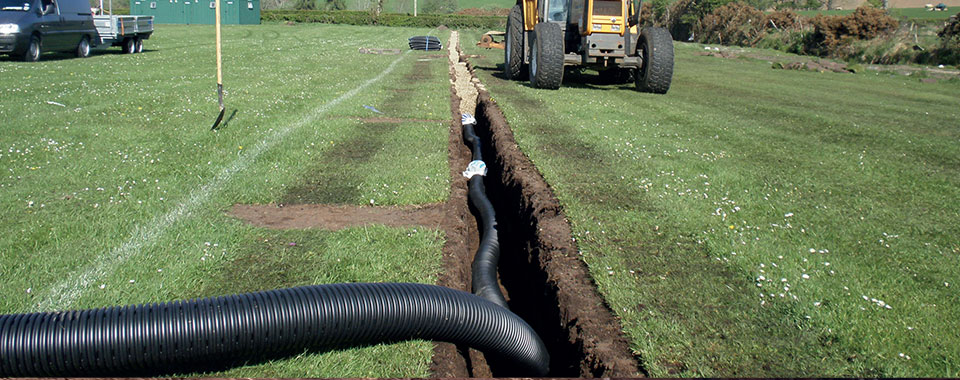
(337, 217)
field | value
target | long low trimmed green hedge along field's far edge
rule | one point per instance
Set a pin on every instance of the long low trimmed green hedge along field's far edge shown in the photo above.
(385, 19)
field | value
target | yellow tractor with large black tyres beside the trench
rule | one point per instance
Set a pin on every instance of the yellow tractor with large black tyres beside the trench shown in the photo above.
(544, 36)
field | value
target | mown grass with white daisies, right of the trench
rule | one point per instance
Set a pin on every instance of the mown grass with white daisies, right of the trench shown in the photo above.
(759, 222)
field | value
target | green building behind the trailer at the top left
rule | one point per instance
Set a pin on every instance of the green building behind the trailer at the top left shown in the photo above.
(197, 12)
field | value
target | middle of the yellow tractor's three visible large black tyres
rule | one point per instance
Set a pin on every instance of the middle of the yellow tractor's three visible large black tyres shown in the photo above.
(546, 59)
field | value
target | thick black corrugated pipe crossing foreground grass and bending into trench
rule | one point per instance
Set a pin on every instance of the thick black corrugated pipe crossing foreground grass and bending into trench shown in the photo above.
(182, 336)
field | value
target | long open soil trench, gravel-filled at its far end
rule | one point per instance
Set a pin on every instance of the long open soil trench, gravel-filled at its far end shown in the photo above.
(540, 274)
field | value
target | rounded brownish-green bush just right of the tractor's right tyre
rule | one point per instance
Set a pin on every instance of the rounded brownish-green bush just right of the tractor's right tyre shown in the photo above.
(731, 24)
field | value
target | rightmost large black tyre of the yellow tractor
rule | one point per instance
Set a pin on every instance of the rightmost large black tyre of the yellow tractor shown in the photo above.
(656, 47)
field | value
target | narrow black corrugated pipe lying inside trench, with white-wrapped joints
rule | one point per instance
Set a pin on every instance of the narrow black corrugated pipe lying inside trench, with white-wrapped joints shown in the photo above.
(484, 267)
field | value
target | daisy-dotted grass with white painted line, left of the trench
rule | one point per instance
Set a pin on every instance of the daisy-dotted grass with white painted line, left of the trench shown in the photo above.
(115, 191)
